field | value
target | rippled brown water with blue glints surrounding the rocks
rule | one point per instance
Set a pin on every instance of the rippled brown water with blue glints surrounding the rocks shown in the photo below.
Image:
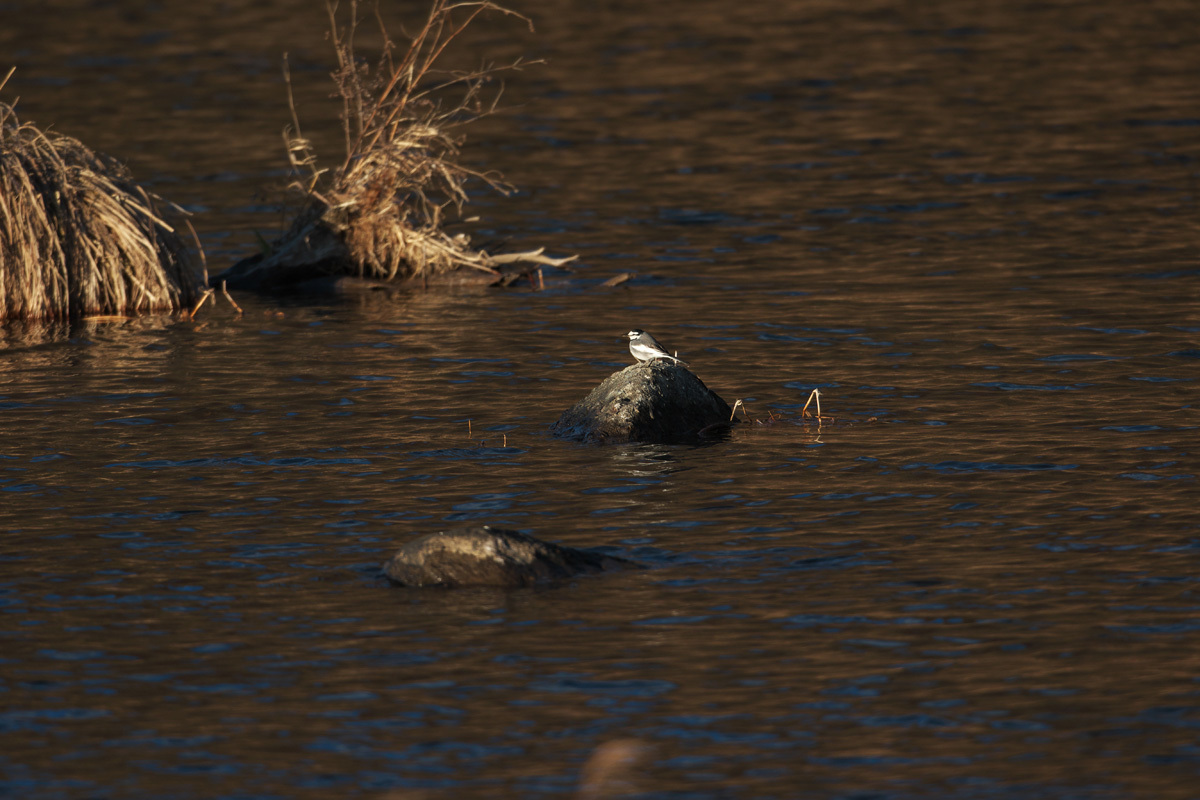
(974, 224)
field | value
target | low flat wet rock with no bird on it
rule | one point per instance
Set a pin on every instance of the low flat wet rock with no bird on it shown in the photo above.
(491, 557)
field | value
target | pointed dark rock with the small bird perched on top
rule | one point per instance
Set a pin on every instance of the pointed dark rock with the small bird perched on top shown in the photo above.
(652, 402)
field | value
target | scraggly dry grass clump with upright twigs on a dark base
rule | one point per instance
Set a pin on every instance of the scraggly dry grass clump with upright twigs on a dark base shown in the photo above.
(381, 214)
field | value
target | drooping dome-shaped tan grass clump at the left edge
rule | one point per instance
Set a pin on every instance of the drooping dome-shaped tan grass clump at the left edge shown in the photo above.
(77, 236)
